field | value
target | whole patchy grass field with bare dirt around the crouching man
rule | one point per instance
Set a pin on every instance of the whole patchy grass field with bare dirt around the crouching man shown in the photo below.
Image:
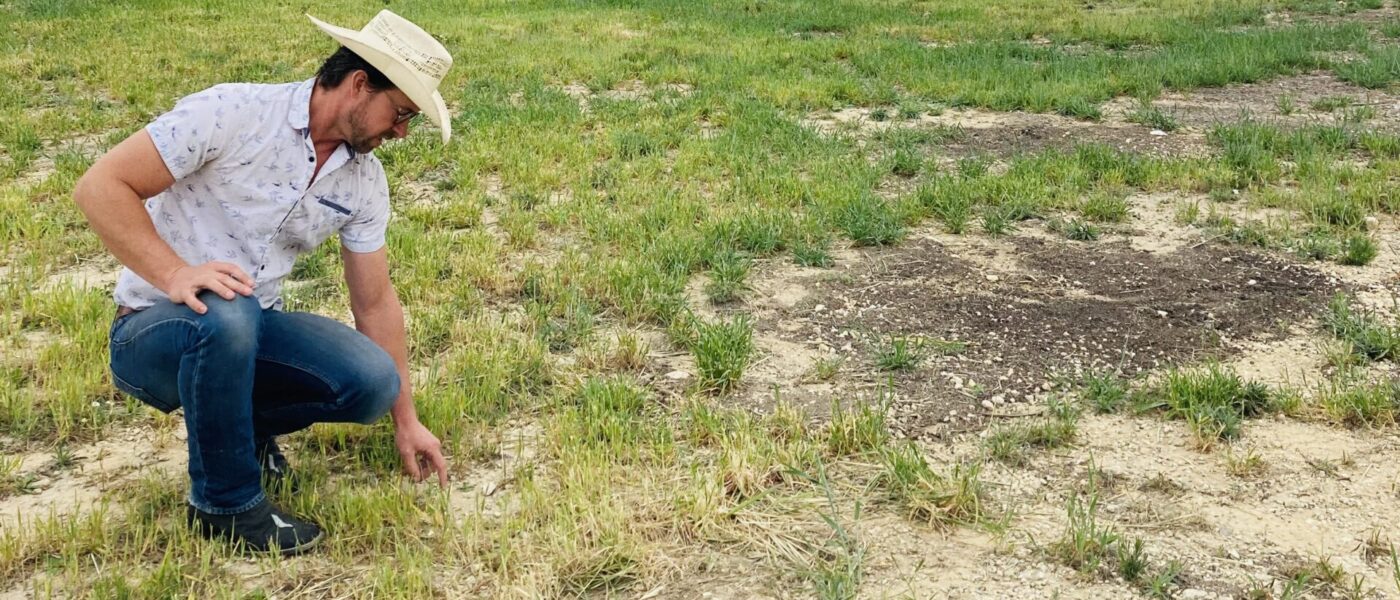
(600, 273)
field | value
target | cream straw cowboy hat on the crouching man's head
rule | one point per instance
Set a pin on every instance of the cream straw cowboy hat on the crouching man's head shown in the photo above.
(407, 55)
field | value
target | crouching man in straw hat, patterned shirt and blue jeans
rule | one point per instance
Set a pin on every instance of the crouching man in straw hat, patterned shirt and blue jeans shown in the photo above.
(237, 181)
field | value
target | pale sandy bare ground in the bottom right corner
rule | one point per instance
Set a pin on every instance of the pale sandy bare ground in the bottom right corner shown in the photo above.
(1322, 493)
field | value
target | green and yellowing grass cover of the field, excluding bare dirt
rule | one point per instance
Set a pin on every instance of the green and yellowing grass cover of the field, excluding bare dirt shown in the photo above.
(610, 164)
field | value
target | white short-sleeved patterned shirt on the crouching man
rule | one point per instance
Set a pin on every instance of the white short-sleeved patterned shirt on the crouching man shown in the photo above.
(243, 162)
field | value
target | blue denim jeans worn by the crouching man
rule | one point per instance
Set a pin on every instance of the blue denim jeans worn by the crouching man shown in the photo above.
(244, 376)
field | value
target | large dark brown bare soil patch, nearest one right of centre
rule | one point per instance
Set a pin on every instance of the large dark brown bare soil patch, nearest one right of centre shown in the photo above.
(1030, 308)
